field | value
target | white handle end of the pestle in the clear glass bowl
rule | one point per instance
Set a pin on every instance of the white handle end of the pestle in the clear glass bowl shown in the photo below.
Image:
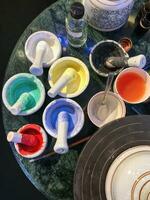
(137, 61)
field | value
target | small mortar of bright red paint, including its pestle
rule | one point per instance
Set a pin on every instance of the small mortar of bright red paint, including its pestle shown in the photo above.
(30, 140)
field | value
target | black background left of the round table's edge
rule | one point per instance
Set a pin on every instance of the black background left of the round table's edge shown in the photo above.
(15, 15)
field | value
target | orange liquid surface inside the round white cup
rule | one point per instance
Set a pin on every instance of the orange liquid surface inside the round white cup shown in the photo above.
(131, 87)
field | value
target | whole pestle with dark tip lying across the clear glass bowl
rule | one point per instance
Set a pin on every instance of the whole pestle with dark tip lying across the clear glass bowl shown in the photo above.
(119, 62)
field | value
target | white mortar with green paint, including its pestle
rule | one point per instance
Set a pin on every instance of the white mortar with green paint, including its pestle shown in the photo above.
(23, 94)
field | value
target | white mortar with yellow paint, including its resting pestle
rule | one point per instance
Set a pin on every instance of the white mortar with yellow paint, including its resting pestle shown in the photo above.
(68, 77)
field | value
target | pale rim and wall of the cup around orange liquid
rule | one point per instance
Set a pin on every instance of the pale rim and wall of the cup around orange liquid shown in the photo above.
(141, 73)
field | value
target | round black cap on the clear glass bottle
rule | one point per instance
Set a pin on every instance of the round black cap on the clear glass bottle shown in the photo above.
(77, 10)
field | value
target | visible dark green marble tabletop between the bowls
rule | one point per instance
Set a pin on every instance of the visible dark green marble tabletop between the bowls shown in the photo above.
(54, 176)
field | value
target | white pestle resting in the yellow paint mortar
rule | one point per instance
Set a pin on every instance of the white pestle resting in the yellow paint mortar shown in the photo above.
(65, 78)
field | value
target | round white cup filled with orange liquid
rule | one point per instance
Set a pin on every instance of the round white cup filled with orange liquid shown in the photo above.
(133, 85)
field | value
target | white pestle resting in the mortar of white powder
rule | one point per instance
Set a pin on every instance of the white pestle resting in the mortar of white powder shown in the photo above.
(37, 67)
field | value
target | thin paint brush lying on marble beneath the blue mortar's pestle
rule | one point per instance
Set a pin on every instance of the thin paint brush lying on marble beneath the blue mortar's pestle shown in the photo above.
(70, 146)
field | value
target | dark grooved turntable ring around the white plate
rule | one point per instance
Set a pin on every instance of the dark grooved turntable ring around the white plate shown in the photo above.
(103, 148)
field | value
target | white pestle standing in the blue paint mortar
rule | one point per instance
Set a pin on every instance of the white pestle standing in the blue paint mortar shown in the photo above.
(61, 145)
